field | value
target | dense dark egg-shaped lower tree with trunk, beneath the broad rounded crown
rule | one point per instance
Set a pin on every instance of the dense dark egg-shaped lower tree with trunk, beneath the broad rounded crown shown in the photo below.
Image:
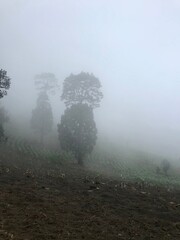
(77, 131)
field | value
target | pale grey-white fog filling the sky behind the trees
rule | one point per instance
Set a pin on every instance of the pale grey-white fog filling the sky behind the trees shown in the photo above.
(133, 47)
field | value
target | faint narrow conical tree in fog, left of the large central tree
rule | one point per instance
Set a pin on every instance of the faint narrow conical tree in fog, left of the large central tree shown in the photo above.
(42, 117)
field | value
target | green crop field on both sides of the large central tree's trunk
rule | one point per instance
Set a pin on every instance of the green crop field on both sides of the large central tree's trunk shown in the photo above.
(128, 165)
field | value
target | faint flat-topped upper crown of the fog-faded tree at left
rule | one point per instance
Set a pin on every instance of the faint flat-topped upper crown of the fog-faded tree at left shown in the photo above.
(46, 82)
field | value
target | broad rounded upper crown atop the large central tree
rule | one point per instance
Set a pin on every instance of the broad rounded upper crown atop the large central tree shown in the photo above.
(82, 88)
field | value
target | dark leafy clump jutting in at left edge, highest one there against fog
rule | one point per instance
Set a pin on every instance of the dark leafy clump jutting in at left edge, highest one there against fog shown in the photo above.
(4, 83)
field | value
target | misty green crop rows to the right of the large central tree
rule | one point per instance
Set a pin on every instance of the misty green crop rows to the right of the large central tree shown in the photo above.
(133, 166)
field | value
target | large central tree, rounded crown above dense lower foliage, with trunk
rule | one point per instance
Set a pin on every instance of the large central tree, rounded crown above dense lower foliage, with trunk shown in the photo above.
(77, 130)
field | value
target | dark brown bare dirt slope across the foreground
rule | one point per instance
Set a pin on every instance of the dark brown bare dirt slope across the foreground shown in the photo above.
(73, 203)
